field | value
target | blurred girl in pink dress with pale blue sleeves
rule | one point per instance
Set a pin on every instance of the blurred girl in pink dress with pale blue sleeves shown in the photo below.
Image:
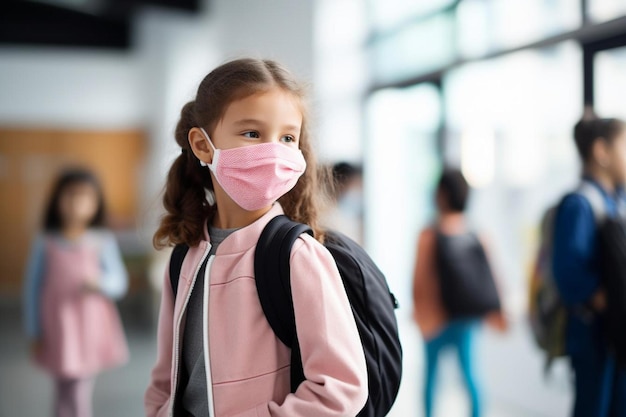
(74, 273)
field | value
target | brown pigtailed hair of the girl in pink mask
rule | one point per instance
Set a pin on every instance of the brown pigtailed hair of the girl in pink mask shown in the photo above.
(185, 197)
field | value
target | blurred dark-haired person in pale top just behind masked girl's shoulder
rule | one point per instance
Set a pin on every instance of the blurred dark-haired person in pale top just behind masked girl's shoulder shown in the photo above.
(345, 213)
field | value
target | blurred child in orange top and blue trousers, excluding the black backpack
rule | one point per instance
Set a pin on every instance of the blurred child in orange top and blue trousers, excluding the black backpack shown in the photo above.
(440, 332)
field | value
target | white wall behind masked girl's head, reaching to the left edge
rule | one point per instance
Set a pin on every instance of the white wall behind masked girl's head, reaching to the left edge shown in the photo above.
(147, 86)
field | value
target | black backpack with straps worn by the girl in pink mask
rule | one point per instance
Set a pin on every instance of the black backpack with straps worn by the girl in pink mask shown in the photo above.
(372, 304)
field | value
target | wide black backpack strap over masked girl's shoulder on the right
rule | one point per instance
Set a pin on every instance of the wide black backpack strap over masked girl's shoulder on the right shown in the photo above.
(273, 282)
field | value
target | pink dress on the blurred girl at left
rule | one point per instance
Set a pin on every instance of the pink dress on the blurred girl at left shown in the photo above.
(82, 332)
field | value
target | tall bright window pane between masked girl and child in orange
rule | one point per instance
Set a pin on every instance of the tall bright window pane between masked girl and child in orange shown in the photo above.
(402, 164)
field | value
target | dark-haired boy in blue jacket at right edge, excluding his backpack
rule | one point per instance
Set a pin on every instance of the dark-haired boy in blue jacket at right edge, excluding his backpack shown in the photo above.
(600, 386)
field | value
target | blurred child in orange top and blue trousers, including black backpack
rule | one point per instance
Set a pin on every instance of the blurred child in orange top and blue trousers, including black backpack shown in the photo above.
(453, 289)
